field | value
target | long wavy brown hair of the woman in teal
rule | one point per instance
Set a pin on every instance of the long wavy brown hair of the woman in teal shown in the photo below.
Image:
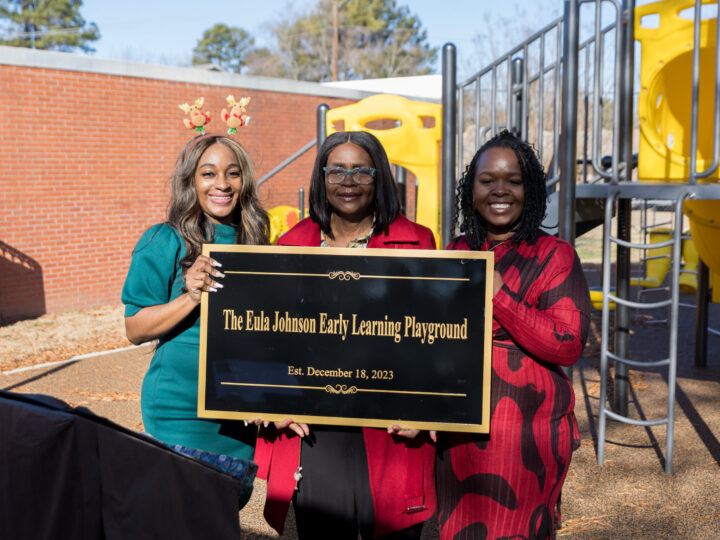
(186, 215)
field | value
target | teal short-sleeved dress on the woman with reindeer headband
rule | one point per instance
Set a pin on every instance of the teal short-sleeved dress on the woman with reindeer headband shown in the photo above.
(169, 390)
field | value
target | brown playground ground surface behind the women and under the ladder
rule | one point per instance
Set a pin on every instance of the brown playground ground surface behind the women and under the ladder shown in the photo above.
(630, 496)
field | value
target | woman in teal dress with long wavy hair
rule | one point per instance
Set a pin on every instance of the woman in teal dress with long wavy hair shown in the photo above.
(213, 200)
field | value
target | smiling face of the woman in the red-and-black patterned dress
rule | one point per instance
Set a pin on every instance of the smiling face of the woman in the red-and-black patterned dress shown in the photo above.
(498, 192)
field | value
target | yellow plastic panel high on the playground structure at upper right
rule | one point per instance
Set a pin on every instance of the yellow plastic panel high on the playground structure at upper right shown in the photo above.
(664, 106)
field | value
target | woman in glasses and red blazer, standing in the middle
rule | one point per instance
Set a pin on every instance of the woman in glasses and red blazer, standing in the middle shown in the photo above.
(343, 481)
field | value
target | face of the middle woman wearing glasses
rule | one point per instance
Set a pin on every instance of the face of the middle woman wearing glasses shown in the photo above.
(350, 201)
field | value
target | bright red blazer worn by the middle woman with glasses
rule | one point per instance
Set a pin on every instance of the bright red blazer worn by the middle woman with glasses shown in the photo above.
(402, 473)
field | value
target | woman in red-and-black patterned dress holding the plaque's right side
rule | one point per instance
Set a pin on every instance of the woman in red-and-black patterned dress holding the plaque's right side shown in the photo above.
(507, 484)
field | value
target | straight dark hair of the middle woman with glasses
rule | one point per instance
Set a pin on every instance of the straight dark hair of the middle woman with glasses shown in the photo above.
(387, 202)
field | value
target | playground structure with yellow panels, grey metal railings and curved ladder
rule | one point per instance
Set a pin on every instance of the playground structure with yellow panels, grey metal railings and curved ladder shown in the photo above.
(572, 98)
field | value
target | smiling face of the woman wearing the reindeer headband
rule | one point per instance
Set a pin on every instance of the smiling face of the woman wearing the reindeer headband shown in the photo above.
(218, 179)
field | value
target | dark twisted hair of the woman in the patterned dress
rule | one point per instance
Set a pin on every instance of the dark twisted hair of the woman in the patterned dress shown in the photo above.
(534, 182)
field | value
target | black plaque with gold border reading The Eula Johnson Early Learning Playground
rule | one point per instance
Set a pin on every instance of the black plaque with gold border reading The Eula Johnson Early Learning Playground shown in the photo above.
(359, 337)
